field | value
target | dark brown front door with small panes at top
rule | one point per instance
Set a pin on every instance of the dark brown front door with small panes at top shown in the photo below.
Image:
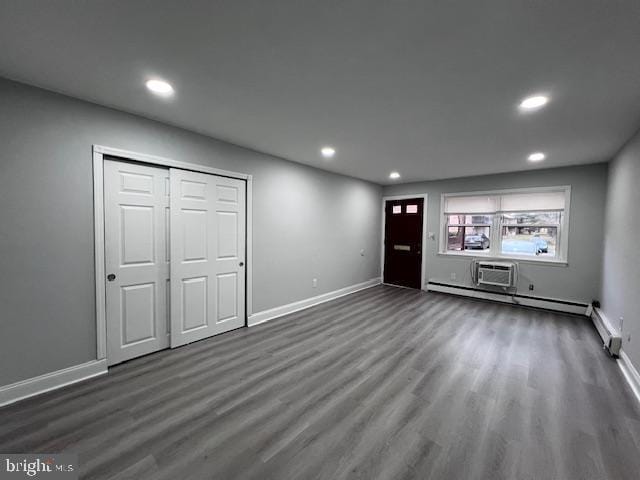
(403, 242)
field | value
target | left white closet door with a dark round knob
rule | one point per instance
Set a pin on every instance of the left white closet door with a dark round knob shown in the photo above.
(136, 207)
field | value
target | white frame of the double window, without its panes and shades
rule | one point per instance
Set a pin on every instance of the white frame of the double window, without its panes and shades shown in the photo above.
(497, 224)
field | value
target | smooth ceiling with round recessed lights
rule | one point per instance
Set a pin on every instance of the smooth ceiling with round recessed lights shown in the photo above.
(428, 88)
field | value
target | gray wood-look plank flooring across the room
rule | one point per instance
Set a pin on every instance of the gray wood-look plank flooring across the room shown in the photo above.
(387, 383)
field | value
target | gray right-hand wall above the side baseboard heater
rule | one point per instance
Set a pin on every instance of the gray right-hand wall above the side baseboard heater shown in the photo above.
(621, 264)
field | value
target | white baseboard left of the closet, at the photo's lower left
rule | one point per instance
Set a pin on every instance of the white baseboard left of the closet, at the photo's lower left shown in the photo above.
(51, 381)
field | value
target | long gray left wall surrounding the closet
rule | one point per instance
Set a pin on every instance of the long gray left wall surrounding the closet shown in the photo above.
(307, 223)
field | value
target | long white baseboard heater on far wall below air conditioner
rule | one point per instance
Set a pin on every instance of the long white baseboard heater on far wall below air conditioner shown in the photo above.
(545, 303)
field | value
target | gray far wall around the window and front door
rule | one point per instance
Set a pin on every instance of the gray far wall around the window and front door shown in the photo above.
(580, 280)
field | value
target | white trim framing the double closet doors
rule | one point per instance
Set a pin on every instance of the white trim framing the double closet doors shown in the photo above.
(99, 152)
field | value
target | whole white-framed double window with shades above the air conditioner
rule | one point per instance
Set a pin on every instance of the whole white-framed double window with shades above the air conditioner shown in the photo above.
(527, 224)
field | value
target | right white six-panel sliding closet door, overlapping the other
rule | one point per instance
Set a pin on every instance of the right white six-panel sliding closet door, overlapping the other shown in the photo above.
(207, 255)
